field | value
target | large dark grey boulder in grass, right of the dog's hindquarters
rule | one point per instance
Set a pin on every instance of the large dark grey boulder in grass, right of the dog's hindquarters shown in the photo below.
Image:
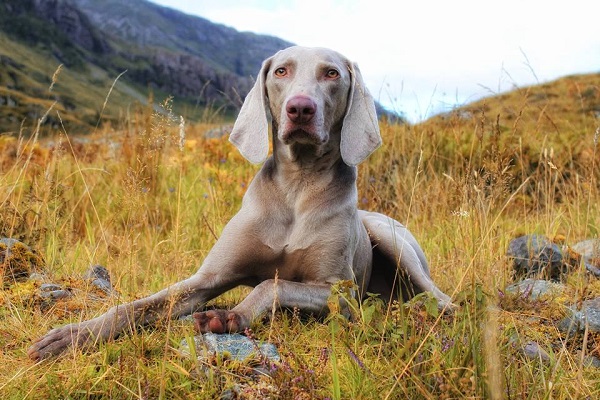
(535, 255)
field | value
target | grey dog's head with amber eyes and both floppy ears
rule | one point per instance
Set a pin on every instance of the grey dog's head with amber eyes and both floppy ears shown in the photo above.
(310, 94)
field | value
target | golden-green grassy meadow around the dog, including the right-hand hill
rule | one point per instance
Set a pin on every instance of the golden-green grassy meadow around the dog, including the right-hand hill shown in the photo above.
(148, 195)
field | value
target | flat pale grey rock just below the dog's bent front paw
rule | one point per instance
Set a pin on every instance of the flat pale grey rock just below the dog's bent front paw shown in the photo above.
(234, 346)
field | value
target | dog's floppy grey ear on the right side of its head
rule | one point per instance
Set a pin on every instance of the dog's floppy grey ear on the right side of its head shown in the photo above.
(360, 132)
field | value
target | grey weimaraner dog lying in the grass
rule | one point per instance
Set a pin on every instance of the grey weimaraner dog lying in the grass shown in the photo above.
(299, 230)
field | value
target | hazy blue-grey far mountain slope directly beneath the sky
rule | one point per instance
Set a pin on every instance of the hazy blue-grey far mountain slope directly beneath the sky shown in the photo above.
(156, 27)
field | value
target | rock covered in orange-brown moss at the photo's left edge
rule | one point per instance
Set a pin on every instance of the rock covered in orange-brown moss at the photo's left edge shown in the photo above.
(17, 261)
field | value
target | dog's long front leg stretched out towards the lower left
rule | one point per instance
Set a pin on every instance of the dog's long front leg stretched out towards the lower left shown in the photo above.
(223, 269)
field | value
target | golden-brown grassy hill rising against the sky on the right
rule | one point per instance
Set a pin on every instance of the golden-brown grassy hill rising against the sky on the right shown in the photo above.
(554, 123)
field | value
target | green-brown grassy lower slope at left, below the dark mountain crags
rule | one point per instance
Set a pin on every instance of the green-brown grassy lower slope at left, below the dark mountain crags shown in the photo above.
(27, 92)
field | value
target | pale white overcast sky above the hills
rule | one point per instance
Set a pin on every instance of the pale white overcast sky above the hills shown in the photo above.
(422, 57)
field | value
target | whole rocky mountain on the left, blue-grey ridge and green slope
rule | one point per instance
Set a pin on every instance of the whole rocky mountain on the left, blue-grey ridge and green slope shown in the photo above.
(156, 49)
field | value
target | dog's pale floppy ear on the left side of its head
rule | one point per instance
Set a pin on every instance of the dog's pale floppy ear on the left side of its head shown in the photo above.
(250, 133)
